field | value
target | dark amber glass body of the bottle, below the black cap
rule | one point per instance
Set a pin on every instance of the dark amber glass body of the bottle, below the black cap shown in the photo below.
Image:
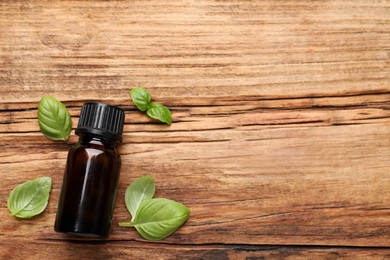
(89, 188)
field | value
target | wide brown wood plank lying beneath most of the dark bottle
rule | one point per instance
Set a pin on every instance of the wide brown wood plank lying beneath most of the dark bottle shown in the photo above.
(295, 185)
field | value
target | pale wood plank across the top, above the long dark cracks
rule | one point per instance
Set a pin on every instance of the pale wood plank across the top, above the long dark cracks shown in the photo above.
(206, 48)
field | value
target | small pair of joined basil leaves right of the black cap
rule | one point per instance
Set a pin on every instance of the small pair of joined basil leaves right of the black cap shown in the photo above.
(143, 100)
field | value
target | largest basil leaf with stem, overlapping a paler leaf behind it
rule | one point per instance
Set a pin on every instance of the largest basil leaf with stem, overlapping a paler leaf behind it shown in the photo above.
(158, 218)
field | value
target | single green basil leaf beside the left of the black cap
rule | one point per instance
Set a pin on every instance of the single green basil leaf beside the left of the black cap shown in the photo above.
(54, 119)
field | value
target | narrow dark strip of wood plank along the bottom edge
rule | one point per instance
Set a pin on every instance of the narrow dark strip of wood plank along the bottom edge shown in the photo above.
(41, 249)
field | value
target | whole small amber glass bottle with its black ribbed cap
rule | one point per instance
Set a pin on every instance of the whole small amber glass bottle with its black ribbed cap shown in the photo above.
(92, 171)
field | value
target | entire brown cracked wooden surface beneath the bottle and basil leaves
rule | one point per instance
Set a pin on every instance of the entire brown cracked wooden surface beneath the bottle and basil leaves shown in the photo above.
(280, 144)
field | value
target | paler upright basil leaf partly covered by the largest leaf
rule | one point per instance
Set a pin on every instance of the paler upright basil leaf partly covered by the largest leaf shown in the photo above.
(141, 189)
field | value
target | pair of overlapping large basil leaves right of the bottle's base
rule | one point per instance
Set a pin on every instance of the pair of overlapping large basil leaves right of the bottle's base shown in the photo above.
(154, 219)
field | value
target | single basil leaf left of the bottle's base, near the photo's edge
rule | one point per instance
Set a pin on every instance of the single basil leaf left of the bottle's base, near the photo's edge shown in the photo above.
(30, 198)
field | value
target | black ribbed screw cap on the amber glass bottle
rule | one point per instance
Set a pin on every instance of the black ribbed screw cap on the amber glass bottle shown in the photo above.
(103, 120)
